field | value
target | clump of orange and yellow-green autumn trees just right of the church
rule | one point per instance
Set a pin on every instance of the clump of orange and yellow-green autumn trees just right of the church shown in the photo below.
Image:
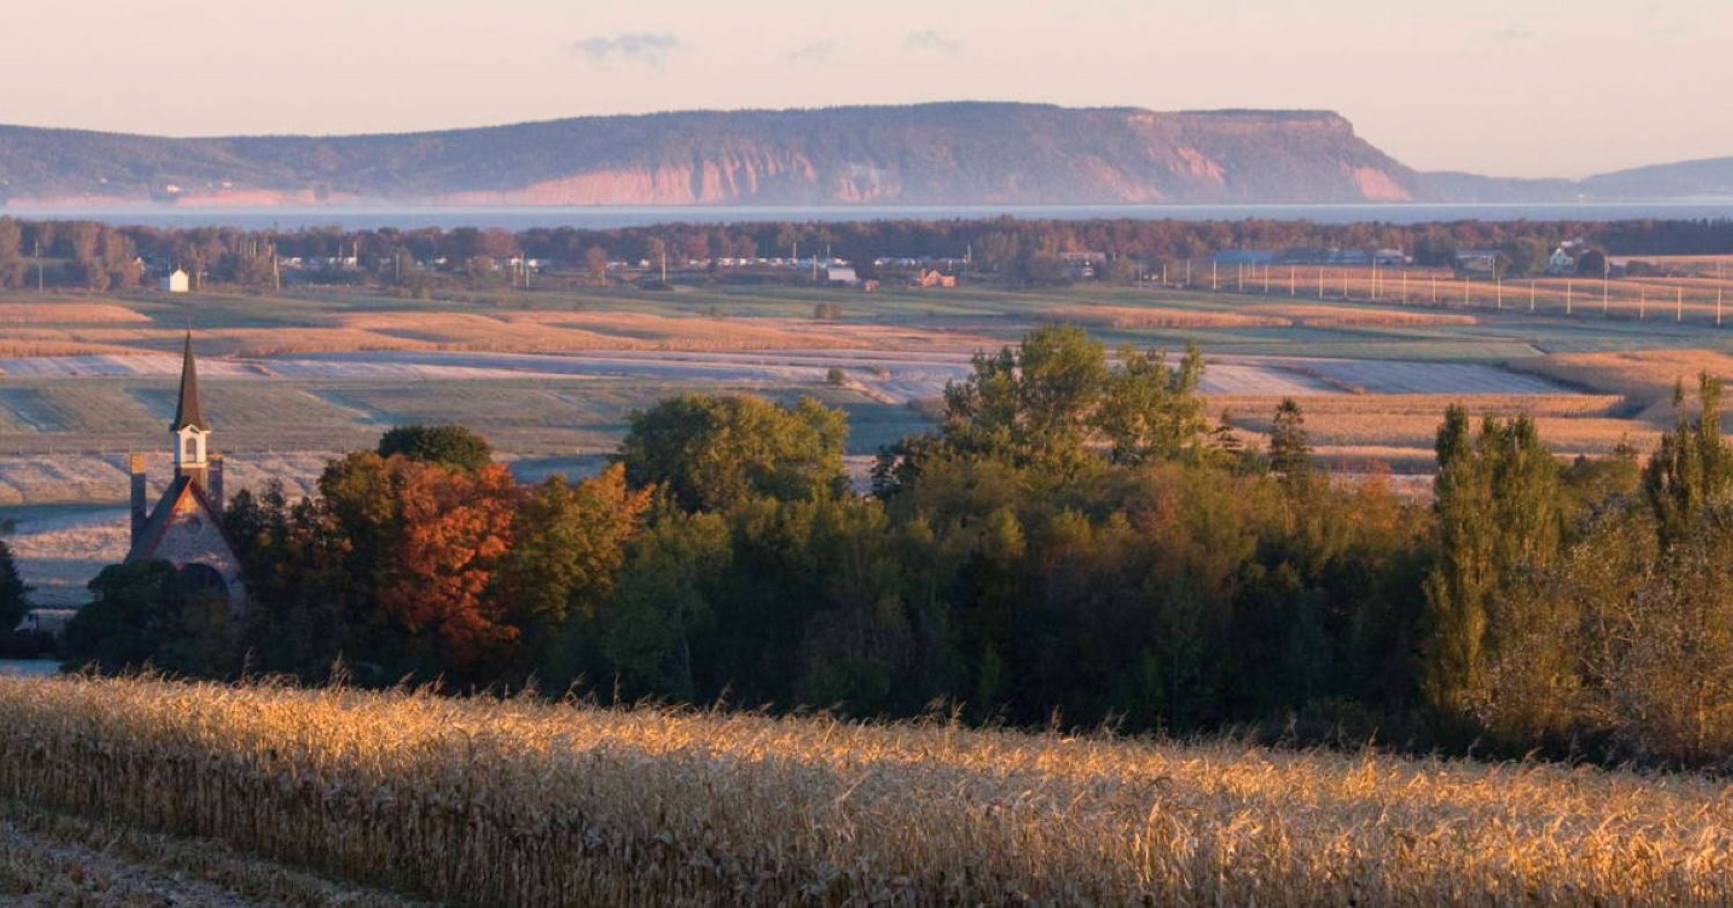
(467, 573)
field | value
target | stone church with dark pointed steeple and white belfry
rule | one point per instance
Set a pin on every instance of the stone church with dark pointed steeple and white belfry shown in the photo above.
(186, 524)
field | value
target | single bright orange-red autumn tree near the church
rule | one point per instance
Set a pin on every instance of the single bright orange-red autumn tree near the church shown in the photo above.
(455, 529)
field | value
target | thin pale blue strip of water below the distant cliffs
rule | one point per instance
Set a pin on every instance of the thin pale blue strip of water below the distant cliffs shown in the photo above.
(609, 217)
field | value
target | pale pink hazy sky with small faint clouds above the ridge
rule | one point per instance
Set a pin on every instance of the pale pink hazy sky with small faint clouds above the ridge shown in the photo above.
(1509, 88)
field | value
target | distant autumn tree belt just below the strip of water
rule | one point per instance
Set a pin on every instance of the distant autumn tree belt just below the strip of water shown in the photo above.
(101, 257)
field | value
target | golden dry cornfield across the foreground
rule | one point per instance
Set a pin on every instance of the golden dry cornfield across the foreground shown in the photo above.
(529, 803)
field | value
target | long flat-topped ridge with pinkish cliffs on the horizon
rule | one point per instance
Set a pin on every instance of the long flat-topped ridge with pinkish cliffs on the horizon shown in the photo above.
(954, 153)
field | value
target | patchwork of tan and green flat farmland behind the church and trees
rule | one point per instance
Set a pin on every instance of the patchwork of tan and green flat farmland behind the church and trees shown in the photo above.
(554, 377)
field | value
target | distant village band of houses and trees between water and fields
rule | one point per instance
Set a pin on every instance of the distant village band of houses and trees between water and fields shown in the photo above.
(860, 256)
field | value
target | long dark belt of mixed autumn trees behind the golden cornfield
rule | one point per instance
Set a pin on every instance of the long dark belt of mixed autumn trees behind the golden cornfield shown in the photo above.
(1075, 545)
